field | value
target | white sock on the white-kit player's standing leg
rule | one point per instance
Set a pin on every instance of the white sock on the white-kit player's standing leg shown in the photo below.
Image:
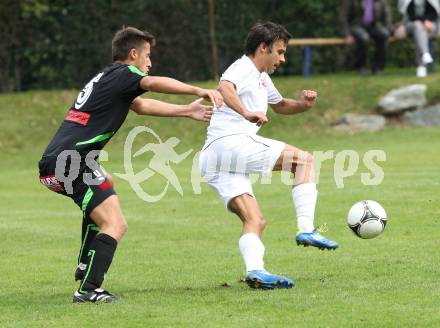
(252, 250)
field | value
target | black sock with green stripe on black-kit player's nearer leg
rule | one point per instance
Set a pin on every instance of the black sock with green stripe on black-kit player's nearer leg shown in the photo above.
(100, 257)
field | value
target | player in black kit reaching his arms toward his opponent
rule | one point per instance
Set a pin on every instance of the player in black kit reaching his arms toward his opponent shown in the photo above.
(96, 115)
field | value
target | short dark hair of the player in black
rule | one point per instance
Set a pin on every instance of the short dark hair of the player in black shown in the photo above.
(128, 38)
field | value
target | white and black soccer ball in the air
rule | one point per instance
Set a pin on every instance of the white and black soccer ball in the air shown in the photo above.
(367, 219)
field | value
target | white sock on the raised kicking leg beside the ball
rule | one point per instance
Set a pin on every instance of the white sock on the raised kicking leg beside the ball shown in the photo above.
(304, 198)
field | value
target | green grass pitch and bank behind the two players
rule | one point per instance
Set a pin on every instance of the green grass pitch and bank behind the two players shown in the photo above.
(179, 264)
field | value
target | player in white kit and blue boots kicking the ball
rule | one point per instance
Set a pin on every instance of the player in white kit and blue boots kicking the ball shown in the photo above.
(233, 150)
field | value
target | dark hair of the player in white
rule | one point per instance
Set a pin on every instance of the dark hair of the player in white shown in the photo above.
(266, 32)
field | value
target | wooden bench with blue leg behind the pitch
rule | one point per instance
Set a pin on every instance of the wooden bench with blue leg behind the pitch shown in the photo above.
(308, 44)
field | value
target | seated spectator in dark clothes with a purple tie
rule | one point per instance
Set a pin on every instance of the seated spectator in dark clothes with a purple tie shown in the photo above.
(362, 20)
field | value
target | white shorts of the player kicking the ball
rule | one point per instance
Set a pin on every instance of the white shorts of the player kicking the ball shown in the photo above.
(227, 162)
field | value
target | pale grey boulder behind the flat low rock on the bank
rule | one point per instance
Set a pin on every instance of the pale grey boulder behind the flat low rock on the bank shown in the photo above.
(403, 99)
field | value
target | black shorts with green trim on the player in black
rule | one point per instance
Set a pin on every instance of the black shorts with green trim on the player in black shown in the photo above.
(87, 195)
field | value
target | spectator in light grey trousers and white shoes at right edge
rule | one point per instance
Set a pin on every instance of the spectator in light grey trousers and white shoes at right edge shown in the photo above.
(420, 19)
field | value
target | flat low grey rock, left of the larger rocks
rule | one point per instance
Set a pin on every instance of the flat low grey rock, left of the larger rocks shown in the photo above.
(356, 122)
